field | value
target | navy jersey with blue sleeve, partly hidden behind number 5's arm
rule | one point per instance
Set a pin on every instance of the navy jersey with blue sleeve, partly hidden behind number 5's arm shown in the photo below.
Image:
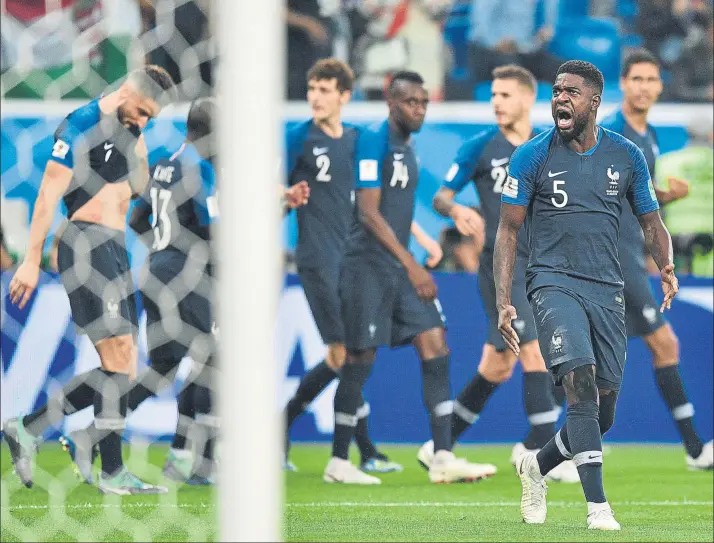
(484, 160)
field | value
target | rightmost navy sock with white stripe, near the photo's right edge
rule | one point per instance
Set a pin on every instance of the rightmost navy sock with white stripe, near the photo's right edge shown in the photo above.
(670, 385)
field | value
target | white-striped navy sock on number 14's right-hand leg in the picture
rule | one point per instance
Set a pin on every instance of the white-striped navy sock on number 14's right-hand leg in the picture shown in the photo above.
(437, 399)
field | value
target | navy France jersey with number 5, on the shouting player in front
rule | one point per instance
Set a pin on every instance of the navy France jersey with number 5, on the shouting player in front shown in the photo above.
(574, 204)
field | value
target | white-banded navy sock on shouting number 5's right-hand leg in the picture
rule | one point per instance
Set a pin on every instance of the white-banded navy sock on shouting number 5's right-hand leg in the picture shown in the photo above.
(586, 447)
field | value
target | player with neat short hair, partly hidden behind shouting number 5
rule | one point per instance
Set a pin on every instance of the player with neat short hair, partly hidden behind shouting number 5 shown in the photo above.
(484, 160)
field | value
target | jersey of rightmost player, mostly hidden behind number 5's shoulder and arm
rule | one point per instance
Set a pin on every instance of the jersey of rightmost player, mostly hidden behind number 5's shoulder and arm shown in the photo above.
(632, 241)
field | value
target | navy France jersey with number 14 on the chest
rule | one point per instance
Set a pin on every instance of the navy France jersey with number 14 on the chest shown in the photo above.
(385, 160)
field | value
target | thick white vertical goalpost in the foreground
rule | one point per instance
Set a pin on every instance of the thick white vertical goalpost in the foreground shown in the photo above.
(250, 93)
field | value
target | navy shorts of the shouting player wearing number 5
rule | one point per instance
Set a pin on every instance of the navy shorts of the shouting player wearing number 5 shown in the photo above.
(573, 331)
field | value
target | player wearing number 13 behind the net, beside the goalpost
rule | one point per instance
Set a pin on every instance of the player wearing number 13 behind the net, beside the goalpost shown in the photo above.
(174, 218)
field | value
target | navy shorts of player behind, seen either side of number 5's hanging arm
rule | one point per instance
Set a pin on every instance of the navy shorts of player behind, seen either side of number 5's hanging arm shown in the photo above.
(524, 324)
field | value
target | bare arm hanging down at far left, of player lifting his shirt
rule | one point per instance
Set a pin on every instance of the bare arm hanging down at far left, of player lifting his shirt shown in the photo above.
(55, 182)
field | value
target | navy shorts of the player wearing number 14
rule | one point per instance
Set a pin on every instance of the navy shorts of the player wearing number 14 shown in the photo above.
(381, 307)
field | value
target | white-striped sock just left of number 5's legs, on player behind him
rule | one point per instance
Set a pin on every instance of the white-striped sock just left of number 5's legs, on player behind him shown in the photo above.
(542, 413)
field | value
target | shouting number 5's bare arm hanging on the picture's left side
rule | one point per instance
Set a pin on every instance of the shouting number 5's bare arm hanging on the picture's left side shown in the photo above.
(504, 258)
